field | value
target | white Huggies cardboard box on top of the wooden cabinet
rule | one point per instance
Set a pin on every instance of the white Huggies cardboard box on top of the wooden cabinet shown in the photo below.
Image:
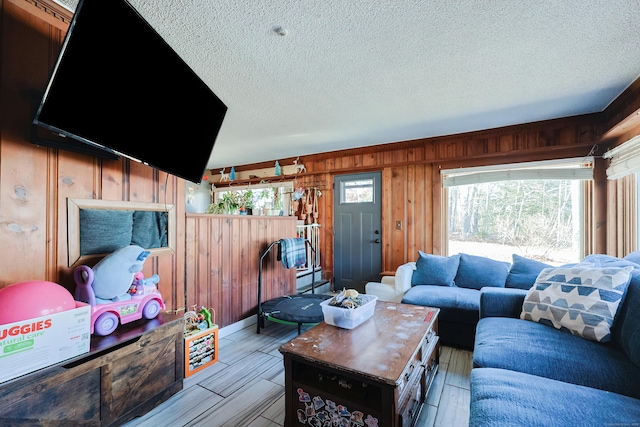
(33, 344)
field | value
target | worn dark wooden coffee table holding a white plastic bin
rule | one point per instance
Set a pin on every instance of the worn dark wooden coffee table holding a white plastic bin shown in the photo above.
(377, 374)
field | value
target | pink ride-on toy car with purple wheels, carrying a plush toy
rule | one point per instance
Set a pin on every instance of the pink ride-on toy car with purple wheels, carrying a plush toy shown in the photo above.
(145, 302)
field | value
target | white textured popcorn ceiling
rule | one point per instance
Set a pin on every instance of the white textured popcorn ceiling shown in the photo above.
(366, 72)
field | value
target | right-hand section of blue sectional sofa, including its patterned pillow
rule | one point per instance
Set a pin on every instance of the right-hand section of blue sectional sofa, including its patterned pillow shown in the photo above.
(541, 359)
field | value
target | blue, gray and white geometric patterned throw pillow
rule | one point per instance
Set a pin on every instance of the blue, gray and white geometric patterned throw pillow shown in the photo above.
(581, 300)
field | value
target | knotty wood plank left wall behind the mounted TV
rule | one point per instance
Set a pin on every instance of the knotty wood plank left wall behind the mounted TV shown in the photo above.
(35, 182)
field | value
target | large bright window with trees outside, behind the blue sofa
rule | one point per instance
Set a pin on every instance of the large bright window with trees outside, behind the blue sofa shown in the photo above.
(530, 209)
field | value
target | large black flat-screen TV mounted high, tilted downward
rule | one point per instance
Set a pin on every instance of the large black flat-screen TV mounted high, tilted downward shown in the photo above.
(119, 86)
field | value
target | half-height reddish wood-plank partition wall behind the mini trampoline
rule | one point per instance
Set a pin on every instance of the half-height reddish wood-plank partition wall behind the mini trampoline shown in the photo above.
(223, 260)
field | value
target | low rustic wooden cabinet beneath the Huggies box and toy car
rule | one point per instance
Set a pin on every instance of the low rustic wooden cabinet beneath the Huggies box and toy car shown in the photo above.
(123, 376)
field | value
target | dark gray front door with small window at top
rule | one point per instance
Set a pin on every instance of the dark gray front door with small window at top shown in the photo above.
(357, 242)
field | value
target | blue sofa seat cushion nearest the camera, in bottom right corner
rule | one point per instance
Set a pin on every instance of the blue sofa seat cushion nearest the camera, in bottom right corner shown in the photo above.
(506, 398)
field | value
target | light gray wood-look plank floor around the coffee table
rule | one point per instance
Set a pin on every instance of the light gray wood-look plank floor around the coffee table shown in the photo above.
(246, 386)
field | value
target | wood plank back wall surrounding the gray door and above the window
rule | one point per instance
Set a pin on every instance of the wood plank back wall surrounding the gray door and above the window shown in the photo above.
(411, 188)
